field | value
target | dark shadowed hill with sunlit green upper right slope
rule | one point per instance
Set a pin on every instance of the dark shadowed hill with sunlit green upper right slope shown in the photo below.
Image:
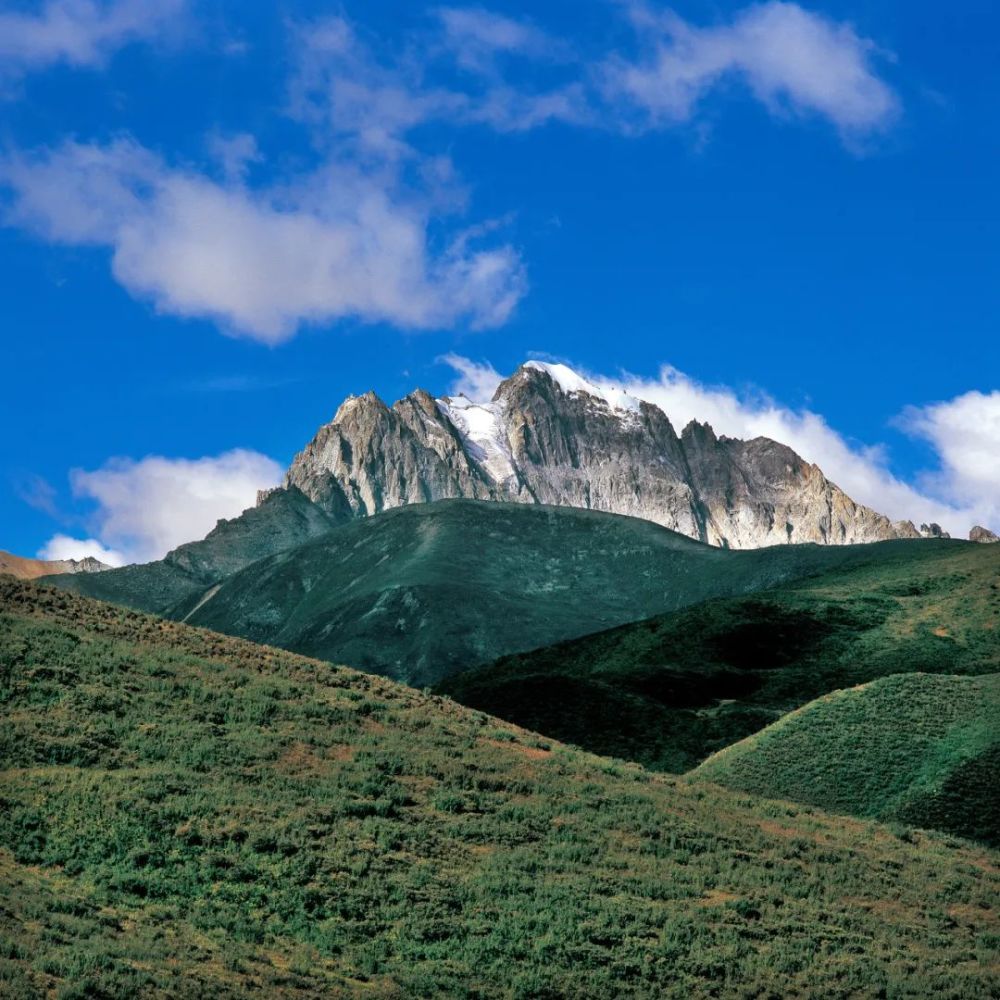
(671, 690)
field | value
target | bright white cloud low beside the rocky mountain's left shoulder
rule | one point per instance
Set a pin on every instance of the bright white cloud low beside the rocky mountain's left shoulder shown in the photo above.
(146, 508)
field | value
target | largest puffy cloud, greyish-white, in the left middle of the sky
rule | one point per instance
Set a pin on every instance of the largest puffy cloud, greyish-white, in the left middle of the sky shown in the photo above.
(339, 243)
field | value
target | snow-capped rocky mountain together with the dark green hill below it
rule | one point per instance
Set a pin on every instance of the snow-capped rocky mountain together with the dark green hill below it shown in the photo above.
(432, 536)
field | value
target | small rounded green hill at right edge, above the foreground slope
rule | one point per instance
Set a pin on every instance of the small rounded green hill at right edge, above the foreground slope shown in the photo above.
(912, 747)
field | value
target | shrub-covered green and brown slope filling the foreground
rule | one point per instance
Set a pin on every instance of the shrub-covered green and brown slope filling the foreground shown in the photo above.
(186, 814)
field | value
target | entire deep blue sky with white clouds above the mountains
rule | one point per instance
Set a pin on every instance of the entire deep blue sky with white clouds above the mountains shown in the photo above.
(218, 219)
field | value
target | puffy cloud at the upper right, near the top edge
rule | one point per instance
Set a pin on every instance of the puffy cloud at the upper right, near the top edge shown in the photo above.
(792, 60)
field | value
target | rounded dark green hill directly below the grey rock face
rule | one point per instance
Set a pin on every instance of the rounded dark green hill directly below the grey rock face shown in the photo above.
(423, 591)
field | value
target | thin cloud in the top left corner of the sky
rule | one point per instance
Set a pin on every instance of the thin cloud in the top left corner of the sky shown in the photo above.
(79, 32)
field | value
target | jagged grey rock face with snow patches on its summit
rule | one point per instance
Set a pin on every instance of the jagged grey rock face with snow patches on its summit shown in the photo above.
(549, 436)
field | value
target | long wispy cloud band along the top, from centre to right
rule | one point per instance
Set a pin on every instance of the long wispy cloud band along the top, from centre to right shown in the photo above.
(517, 77)
